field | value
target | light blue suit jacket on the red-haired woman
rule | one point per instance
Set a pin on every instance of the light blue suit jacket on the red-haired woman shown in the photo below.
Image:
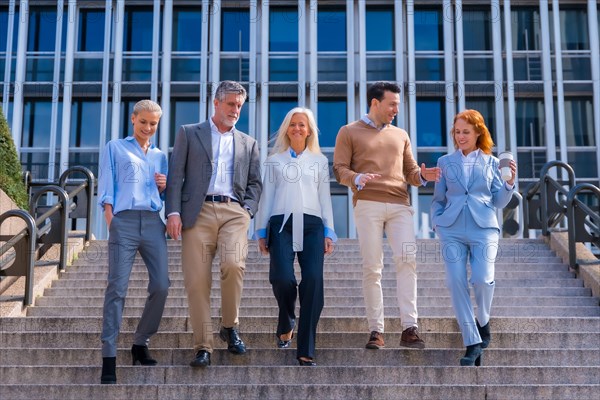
(483, 195)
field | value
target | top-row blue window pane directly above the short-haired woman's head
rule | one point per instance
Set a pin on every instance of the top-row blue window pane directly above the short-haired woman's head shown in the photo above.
(138, 29)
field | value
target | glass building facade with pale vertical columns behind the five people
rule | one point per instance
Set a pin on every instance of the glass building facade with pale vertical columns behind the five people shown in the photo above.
(72, 71)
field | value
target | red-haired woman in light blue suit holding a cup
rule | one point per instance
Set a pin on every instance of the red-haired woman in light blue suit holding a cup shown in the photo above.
(463, 214)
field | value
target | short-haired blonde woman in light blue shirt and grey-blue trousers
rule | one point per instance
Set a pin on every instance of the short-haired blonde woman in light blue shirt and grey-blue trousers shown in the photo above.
(132, 180)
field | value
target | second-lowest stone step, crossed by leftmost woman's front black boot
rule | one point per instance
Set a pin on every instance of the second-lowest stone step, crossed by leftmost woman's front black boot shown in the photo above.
(347, 374)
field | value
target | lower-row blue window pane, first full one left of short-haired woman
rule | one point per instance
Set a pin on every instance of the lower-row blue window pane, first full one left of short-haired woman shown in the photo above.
(85, 124)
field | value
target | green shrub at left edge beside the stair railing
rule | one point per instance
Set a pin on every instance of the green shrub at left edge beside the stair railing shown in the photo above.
(11, 180)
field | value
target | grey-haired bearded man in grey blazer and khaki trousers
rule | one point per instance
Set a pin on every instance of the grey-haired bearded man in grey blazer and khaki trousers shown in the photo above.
(213, 189)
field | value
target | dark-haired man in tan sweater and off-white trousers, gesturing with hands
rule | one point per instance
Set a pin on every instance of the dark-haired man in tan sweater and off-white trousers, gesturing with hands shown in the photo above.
(374, 159)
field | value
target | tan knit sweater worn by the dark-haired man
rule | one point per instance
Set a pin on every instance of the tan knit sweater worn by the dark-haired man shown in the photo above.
(360, 148)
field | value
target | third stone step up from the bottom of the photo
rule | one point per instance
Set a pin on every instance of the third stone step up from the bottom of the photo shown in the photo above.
(325, 356)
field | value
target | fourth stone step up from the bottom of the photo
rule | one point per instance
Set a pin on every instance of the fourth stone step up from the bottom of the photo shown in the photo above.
(448, 337)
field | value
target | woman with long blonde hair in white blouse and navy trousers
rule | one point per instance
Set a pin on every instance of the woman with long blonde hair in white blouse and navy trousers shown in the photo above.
(295, 207)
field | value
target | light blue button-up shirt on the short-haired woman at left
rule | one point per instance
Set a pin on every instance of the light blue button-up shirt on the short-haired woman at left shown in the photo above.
(126, 176)
